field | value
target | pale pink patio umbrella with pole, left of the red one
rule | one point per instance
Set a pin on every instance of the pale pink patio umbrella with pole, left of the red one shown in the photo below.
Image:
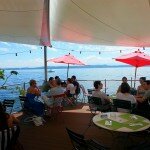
(67, 59)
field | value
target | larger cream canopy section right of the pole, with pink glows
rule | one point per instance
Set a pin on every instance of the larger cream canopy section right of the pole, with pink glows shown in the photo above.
(108, 22)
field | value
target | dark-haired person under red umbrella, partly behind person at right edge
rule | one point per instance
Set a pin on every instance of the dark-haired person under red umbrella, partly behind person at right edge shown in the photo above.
(140, 88)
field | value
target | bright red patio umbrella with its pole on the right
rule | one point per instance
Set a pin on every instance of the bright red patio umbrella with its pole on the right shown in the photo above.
(136, 59)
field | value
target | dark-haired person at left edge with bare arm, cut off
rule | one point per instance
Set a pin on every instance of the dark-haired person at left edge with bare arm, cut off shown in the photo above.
(6, 120)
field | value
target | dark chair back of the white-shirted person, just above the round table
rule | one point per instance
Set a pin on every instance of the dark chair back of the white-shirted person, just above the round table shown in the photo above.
(118, 103)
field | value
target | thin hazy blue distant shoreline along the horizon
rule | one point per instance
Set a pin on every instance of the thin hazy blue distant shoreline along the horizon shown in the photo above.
(71, 66)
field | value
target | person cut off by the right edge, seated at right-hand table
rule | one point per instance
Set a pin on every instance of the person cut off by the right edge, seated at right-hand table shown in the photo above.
(143, 107)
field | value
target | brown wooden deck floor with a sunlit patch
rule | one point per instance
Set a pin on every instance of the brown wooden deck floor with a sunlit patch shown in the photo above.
(53, 136)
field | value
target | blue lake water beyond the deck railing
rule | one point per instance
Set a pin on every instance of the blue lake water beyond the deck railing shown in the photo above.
(25, 75)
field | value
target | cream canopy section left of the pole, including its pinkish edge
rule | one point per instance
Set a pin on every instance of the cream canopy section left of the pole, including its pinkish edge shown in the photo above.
(24, 21)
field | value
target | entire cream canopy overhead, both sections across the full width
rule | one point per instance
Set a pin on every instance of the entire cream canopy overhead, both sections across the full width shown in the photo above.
(108, 22)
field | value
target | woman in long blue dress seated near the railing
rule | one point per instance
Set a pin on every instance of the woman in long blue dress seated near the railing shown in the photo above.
(34, 92)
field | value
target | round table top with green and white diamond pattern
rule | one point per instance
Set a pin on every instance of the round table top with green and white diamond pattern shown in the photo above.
(122, 122)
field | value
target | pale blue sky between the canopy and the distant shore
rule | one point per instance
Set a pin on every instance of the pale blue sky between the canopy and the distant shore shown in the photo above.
(88, 54)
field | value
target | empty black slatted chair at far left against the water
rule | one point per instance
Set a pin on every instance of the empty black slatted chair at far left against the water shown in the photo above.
(8, 105)
